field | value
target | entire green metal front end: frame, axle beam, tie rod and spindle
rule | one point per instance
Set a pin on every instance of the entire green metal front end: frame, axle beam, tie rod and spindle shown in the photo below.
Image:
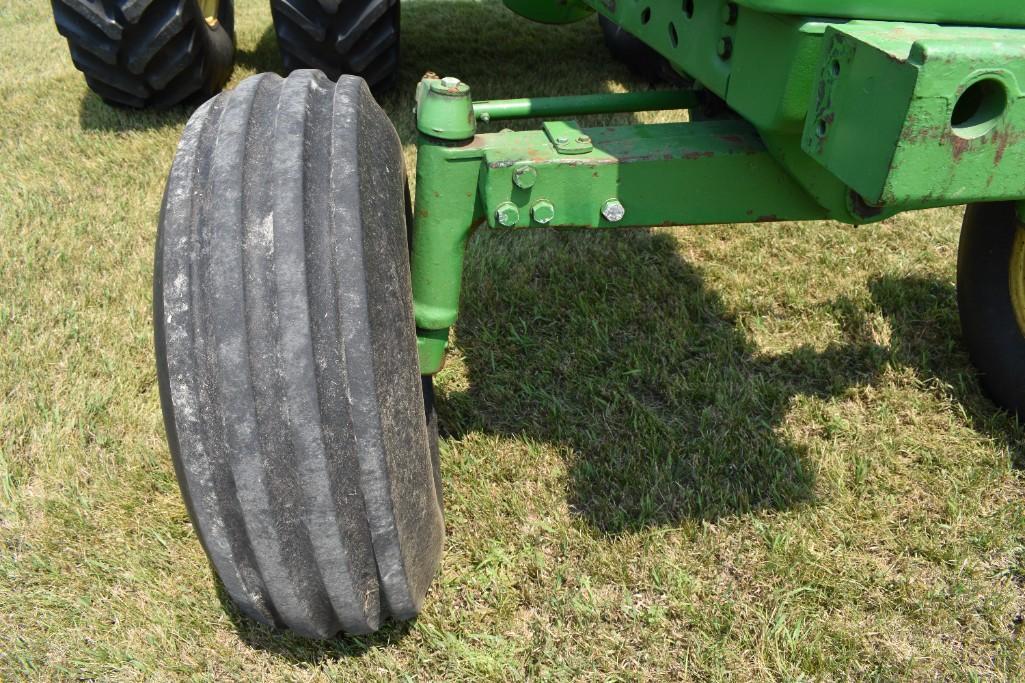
(851, 120)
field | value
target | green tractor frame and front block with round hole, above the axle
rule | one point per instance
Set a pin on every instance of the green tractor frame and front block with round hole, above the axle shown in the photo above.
(775, 68)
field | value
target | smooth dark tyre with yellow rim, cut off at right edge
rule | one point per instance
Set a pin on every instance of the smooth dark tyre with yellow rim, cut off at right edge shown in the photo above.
(992, 300)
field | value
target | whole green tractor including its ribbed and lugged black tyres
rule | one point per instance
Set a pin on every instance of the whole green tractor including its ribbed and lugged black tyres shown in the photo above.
(304, 301)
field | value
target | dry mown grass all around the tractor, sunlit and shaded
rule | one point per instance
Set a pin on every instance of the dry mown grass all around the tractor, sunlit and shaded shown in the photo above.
(748, 453)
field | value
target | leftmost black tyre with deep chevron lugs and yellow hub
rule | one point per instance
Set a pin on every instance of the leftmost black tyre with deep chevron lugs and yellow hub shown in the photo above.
(150, 53)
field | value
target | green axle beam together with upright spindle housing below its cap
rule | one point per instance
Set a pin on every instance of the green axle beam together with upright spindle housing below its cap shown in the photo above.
(708, 173)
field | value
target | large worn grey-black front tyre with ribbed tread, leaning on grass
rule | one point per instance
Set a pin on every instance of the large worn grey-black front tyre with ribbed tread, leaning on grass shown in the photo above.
(302, 433)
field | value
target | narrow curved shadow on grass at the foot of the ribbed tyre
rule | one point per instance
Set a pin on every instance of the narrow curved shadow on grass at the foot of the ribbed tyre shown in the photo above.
(299, 650)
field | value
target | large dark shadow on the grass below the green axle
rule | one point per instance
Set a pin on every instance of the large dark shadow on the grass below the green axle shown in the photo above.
(612, 347)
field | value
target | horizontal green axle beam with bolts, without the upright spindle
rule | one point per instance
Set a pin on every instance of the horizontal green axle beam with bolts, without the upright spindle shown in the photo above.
(675, 175)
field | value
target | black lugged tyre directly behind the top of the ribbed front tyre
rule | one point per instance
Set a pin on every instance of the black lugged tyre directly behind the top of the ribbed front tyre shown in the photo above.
(359, 37)
